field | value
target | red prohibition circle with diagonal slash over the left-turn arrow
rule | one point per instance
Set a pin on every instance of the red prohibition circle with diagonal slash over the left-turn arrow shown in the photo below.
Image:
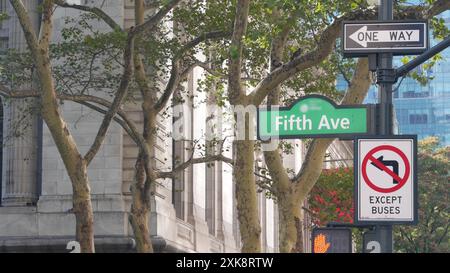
(401, 180)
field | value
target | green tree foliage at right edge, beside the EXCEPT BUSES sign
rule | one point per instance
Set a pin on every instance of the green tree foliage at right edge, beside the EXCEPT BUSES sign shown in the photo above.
(432, 232)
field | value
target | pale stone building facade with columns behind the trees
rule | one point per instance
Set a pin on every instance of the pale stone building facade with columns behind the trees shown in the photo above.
(193, 213)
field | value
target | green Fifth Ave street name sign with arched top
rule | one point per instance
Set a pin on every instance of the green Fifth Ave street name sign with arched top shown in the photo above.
(312, 116)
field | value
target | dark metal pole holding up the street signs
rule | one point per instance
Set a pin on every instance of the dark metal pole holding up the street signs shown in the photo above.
(385, 13)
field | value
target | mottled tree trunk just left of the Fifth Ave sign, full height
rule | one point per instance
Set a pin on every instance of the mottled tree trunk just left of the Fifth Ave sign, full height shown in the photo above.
(246, 198)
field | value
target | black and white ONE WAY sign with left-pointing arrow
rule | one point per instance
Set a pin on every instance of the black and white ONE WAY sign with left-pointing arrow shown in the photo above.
(361, 38)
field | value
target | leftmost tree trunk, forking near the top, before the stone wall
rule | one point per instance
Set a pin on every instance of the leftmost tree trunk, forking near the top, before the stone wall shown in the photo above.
(73, 161)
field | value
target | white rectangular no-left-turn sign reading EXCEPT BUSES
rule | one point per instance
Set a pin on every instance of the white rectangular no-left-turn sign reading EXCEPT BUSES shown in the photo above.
(385, 175)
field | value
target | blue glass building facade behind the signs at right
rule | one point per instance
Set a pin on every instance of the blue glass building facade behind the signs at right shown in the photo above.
(422, 110)
